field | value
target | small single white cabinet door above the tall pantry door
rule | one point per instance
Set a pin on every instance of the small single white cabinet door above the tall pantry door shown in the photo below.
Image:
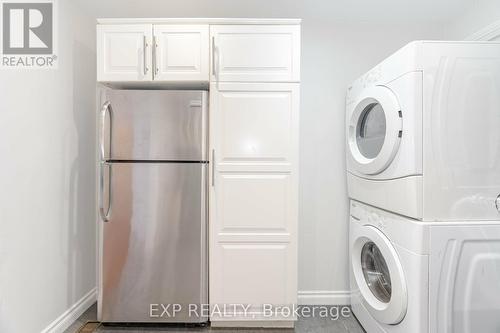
(255, 53)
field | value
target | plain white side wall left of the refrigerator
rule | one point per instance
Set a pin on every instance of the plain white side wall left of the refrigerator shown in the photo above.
(47, 151)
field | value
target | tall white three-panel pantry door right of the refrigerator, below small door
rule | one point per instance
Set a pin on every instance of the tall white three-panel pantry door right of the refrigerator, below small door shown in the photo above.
(253, 226)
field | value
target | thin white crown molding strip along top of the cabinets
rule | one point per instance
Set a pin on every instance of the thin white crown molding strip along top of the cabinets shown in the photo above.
(248, 21)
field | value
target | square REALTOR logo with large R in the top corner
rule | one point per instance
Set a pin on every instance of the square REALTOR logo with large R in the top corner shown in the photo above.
(28, 34)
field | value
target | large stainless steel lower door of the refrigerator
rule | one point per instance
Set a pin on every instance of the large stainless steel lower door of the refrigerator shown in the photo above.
(154, 250)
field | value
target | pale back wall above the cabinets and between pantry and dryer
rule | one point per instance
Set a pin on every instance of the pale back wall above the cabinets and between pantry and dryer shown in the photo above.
(333, 55)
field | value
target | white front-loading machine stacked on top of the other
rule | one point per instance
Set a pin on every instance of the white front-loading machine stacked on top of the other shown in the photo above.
(423, 136)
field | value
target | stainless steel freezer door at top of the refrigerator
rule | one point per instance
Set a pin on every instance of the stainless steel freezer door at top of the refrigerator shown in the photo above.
(155, 125)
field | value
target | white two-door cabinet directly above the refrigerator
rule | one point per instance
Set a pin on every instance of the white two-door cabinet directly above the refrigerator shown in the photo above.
(153, 52)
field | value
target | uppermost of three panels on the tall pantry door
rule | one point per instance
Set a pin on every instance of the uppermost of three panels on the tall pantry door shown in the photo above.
(257, 126)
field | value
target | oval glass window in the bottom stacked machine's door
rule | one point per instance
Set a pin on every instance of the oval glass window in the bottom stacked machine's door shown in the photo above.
(376, 272)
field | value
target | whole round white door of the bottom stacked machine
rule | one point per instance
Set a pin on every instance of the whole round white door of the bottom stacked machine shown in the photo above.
(379, 276)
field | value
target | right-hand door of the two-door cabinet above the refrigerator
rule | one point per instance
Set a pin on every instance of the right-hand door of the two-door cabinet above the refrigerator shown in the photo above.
(181, 53)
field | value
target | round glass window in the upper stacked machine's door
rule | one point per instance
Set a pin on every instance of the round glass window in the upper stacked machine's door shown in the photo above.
(370, 132)
